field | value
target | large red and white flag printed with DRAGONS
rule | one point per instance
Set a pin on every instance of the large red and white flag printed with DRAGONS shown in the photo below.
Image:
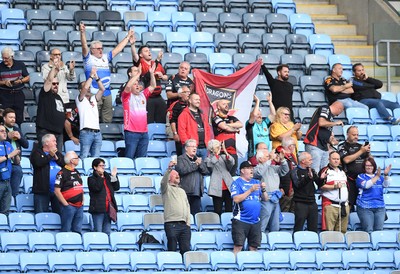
(238, 88)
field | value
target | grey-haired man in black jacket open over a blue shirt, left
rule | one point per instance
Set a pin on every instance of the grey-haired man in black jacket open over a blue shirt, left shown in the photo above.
(46, 161)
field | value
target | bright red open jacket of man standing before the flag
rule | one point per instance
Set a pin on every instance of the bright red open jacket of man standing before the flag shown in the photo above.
(187, 127)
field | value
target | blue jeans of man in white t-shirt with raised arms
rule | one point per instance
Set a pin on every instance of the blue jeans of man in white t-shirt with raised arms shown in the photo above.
(90, 143)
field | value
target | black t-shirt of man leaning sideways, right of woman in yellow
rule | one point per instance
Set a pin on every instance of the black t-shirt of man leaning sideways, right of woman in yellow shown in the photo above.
(316, 135)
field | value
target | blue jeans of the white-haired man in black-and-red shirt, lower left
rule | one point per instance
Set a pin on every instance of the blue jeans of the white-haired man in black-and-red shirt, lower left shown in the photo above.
(71, 218)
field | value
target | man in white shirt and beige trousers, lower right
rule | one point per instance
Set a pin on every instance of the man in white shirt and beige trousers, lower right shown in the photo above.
(335, 206)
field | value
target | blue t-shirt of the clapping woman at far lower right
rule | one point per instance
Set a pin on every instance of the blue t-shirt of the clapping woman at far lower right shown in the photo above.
(371, 197)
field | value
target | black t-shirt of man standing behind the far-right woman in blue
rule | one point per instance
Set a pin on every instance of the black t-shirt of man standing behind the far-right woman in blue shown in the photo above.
(354, 168)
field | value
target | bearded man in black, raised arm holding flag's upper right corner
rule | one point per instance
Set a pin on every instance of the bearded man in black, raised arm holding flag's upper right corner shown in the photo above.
(281, 89)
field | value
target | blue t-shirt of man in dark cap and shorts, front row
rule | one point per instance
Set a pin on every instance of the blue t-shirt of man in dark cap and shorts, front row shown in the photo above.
(248, 210)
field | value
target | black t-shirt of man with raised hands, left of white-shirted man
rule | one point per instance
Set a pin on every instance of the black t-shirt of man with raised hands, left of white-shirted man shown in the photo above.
(50, 113)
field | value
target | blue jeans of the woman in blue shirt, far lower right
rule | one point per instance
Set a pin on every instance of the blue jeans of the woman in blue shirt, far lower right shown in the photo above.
(371, 219)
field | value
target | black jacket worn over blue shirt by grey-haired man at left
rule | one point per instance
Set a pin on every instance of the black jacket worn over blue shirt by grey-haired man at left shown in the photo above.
(41, 169)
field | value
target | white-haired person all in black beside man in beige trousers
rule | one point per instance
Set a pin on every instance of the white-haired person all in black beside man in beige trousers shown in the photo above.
(305, 182)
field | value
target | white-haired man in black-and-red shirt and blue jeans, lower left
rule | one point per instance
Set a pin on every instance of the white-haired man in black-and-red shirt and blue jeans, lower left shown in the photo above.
(68, 189)
